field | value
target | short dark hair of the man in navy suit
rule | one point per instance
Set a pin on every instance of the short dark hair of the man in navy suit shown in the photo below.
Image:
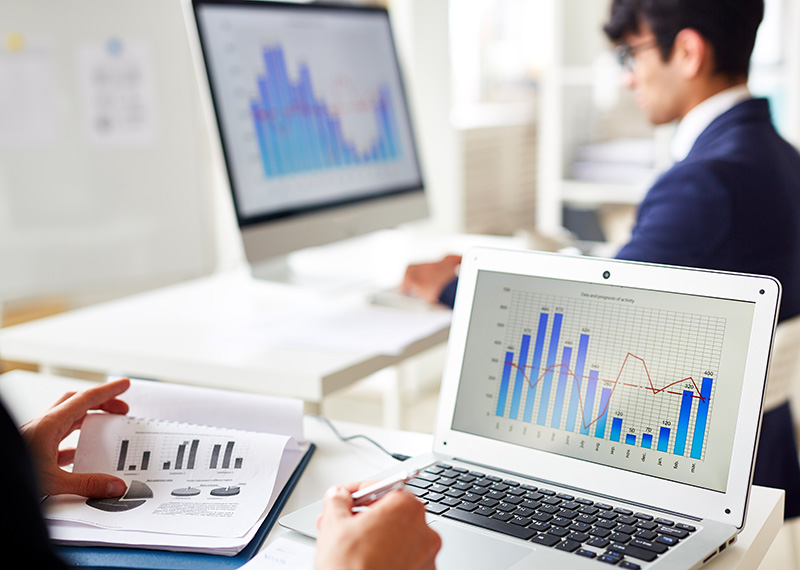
(728, 25)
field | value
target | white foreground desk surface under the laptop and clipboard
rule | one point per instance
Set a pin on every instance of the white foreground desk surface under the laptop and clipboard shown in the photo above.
(28, 394)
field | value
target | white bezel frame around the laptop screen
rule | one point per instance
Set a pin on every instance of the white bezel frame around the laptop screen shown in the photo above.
(729, 506)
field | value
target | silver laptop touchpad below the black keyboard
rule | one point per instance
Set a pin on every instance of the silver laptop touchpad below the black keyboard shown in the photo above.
(463, 548)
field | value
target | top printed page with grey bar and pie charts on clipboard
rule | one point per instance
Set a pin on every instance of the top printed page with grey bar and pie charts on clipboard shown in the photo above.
(182, 478)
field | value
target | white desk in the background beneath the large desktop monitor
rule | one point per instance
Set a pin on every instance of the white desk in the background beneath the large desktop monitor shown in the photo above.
(206, 331)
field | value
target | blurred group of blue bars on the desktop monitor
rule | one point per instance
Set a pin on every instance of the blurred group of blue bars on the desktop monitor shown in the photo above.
(297, 132)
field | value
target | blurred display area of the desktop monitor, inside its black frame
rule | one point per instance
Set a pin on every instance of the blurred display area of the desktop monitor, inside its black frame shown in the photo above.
(309, 110)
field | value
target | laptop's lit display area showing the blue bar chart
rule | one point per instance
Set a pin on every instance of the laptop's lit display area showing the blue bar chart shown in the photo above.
(641, 380)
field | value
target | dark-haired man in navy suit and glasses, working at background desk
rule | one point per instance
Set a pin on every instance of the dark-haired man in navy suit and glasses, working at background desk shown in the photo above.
(731, 201)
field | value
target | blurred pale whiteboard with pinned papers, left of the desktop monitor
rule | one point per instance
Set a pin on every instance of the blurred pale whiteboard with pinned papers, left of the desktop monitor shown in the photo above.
(104, 172)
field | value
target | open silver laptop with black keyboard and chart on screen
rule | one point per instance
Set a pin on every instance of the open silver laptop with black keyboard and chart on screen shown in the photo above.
(593, 411)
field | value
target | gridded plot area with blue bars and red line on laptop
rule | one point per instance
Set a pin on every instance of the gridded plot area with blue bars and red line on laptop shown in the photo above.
(606, 370)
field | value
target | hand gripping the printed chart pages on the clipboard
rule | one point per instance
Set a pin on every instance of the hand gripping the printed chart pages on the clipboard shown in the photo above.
(44, 434)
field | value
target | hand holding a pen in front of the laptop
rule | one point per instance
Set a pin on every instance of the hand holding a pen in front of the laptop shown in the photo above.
(391, 534)
